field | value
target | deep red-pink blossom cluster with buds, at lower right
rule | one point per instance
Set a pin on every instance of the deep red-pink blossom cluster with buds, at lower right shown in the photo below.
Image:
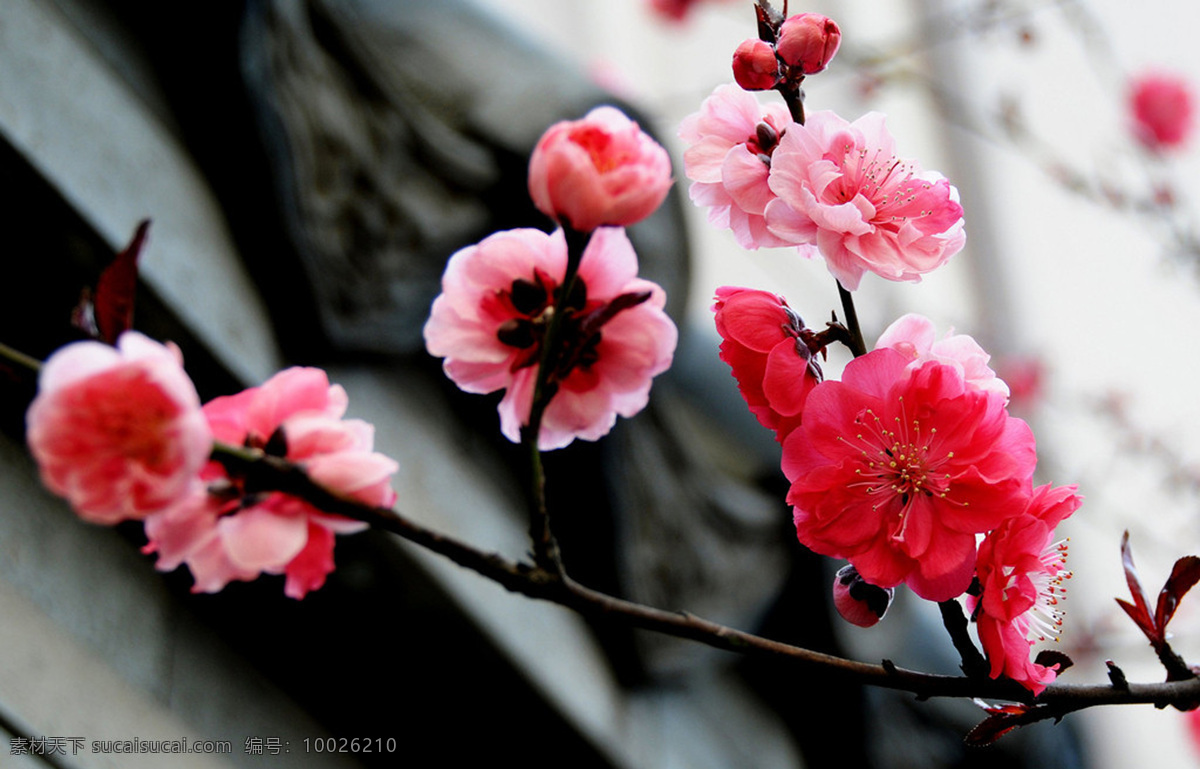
(899, 468)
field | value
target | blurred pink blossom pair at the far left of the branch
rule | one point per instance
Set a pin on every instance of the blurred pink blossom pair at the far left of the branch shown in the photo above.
(122, 435)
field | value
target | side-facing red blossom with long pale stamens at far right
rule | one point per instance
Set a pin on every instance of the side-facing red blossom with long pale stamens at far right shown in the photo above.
(1022, 572)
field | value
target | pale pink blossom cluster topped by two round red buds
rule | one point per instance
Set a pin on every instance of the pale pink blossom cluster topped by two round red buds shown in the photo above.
(823, 185)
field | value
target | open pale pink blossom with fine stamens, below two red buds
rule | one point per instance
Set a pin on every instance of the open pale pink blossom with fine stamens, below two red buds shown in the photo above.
(842, 188)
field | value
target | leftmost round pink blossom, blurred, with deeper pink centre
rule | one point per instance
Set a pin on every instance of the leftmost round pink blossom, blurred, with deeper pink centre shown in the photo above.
(118, 431)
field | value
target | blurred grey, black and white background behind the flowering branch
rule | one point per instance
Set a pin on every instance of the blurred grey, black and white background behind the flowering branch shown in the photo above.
(310, 165)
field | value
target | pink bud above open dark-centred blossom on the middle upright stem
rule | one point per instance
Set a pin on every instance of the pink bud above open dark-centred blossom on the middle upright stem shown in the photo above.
(579, 333)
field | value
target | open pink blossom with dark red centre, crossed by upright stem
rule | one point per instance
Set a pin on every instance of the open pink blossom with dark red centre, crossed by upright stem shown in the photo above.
(491, 319)
